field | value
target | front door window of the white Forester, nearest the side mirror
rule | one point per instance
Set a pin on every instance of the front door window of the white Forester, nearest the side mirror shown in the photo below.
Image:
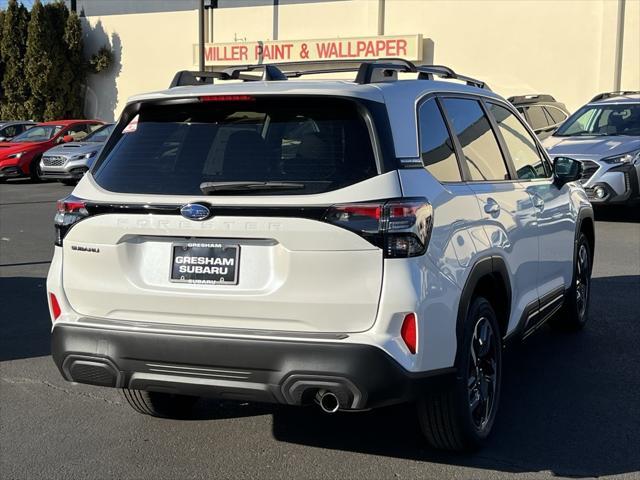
(520, 144)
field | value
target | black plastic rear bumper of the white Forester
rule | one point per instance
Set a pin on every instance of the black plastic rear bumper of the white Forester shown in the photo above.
(260, 370)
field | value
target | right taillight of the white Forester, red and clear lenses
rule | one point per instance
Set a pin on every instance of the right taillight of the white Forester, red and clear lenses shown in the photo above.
(400, 227)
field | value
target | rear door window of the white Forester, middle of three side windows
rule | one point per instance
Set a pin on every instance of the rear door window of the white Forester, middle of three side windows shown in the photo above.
(479, 144)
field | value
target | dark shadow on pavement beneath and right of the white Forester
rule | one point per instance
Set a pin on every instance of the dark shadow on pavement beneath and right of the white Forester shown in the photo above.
(570, 403)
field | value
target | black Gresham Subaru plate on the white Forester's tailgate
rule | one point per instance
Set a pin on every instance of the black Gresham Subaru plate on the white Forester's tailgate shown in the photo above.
(207, 263)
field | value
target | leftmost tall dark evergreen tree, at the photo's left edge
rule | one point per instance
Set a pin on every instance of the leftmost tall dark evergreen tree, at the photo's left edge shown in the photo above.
(13, 47)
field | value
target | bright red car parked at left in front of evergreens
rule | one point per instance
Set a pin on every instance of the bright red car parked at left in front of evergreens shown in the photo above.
(21, 156)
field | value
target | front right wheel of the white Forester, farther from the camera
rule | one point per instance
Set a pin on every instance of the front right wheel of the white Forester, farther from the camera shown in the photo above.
(575, 311)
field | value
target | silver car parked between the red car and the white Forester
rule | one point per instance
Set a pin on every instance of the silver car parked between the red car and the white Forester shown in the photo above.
(68, 162)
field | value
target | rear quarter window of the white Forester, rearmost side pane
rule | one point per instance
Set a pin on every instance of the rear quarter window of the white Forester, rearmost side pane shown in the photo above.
(436, 146)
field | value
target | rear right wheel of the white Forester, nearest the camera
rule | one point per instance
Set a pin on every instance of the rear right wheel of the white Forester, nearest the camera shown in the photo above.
(462, 418)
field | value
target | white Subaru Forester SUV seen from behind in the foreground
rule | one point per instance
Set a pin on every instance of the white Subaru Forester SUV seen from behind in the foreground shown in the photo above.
(350, 243)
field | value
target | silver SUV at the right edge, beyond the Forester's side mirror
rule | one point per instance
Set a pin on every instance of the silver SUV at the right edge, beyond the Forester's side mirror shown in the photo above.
(604, 136)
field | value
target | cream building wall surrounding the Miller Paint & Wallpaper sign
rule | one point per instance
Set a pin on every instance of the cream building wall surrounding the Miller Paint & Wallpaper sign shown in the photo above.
(562, 47)
